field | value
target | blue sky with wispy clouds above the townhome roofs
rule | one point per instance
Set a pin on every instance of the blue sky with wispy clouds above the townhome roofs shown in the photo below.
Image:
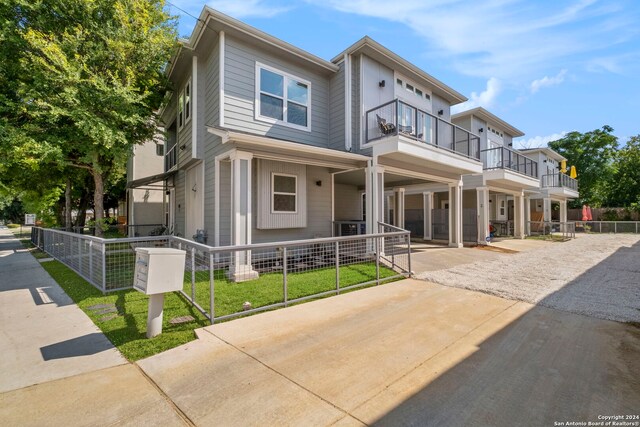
(547, 67)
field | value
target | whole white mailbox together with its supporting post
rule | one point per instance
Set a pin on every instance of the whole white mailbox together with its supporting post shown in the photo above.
(158, 270)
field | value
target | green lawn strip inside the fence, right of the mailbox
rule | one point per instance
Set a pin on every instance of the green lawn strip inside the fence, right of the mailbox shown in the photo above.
(268, 288)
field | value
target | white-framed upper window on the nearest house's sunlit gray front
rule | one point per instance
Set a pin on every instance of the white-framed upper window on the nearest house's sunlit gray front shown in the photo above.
(282, 98)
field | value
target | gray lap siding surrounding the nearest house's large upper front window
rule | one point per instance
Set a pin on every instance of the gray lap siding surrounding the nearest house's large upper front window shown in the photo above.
(240, 65)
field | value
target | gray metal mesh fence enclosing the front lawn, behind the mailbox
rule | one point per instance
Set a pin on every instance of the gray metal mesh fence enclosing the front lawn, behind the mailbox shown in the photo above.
(232, 281)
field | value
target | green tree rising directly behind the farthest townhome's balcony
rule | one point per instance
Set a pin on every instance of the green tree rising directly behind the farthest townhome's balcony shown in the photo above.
(592, 153)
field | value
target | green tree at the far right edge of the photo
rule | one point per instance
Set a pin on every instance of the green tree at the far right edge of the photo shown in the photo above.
(625, 185)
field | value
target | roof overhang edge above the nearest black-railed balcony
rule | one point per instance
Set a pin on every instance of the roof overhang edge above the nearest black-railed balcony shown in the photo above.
(375, 50)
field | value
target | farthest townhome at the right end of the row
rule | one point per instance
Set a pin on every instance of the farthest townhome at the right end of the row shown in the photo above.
(556, 187)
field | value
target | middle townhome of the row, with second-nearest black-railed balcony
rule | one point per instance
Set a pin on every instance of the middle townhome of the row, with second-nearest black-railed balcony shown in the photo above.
(501, 193)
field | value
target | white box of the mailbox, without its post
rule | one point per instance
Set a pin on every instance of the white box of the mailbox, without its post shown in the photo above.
(159, 270)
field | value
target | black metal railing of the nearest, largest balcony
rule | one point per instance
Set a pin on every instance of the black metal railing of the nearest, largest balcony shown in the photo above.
(399, 118)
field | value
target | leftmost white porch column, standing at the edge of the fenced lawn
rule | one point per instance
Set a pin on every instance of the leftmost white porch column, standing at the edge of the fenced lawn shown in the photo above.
(241, 268)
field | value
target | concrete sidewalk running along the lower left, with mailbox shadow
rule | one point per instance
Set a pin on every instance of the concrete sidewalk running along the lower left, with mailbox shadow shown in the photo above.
(57, 367)
